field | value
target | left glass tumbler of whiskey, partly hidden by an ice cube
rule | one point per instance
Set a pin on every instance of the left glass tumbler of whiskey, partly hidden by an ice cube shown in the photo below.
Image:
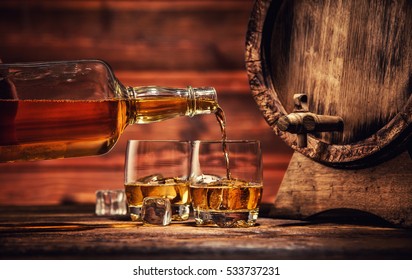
(158, 168)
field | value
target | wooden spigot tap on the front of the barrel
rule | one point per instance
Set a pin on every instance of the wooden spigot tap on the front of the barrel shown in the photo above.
(302, 122)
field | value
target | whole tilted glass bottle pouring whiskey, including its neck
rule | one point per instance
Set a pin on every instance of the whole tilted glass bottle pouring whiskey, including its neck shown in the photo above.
(78, 108)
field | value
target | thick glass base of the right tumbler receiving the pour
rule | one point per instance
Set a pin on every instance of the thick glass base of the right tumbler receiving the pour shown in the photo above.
(226, 218)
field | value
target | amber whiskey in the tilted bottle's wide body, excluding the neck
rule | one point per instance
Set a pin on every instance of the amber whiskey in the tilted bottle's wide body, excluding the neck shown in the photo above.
(43, 129)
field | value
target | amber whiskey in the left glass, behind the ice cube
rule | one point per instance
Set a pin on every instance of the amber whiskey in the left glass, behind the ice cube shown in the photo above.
(176, 190)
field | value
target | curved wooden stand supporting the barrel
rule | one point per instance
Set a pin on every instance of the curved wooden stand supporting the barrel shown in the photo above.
(309, 188)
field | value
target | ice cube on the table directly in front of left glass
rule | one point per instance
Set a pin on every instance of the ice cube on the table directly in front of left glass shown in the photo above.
(156, 211)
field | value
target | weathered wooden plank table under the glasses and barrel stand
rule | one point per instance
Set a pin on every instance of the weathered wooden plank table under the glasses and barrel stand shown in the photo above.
(74, 232)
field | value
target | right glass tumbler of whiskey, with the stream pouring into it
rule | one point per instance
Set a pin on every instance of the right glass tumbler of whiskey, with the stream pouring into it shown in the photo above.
(226, 182)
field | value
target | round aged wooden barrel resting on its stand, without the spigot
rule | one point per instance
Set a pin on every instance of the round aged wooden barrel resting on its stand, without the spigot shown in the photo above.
(353, 59)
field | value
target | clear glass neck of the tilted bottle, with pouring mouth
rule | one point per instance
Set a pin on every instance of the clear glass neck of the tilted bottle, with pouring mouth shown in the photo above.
(152, 103)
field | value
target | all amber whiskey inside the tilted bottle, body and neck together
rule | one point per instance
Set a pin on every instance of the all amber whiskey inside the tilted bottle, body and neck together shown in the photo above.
(48, 129)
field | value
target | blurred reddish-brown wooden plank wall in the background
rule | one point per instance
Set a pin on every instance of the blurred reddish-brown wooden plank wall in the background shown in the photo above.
(167, 43)
